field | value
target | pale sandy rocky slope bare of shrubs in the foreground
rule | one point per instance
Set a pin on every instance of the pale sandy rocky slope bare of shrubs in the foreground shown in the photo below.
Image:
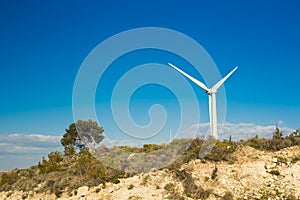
(254, 175)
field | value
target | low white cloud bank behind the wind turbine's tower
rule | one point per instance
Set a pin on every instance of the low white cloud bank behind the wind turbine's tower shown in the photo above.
(237, 131)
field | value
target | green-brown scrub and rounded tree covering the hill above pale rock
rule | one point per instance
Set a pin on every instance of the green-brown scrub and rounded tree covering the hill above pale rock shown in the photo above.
(76, 166)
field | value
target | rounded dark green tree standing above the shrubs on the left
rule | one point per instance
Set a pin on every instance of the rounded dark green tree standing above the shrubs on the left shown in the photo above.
(82, 135)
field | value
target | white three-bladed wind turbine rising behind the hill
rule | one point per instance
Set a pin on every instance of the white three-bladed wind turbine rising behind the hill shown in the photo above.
(212, 97)
